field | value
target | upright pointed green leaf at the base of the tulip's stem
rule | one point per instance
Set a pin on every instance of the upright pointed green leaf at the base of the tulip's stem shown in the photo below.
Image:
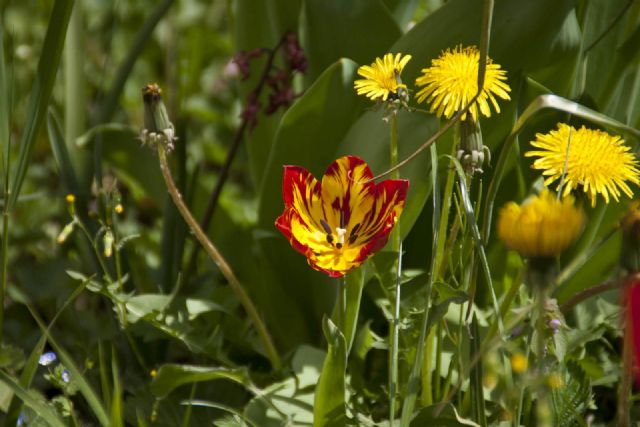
(329, 404)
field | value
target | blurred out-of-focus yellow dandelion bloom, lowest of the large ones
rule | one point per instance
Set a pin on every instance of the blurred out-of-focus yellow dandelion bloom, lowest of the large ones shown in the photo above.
(541, 227)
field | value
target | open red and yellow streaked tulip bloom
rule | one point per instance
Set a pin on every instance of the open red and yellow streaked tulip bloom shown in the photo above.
(340, 222)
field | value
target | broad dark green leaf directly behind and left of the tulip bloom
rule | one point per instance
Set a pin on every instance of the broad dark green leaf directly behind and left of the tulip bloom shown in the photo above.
(293, 295)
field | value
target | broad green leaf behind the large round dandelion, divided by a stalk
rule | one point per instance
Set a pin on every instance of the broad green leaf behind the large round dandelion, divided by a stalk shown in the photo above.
(546, 30)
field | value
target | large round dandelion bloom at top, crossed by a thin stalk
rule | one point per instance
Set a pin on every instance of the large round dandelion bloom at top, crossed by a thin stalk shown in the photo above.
(452, 80)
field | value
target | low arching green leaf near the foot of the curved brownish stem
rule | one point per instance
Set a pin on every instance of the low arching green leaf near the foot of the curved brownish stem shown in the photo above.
(171, 376)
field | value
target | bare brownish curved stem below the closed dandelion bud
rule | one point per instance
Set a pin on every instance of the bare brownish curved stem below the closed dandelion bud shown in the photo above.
(217, 257)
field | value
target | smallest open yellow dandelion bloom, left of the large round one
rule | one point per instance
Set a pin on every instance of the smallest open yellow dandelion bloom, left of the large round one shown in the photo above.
(382, 77)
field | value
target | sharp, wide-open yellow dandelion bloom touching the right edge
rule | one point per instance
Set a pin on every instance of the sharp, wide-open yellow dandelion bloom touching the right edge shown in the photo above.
(597, 162)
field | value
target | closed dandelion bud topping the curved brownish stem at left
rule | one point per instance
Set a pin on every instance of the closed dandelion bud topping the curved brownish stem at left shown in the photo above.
(157, 126)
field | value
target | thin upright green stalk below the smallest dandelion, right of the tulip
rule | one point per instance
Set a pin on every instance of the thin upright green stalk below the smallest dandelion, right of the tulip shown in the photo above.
(396, 246)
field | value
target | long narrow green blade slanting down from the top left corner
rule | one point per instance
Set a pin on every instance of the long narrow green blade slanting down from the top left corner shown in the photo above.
(42, 87)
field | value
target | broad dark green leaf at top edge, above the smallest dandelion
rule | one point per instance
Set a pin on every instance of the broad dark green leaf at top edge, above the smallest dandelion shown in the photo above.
(359, 29)
